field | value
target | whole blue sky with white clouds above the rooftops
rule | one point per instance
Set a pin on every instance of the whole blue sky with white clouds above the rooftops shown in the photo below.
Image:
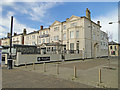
(31, 15)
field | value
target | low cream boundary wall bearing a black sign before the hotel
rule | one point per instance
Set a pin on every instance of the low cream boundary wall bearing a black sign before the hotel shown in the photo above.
(30, 58)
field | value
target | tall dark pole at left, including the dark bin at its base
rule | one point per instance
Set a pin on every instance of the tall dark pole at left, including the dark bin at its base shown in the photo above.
(10, 56)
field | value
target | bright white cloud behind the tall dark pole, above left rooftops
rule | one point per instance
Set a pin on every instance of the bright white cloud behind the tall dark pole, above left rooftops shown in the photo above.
(17, 26)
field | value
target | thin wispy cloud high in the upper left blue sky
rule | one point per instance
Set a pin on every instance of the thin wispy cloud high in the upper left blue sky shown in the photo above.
(34, 10)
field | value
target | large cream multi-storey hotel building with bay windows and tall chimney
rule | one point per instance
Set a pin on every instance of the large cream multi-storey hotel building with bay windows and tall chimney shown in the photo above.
(74, 35)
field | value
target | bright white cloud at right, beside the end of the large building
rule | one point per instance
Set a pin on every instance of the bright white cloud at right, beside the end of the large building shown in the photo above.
(112, 29)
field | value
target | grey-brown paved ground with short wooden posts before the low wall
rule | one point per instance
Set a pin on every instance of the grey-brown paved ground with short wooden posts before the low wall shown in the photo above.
(46, 75)
